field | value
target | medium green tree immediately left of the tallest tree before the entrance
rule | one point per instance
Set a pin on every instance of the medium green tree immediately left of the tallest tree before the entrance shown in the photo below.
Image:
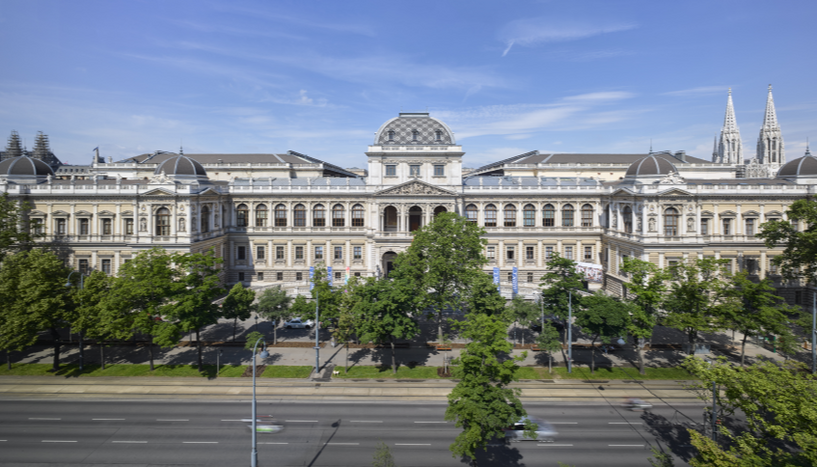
(385, 314)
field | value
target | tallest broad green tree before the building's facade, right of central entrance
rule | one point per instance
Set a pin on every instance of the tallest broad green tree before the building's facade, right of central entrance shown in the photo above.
(441, 265)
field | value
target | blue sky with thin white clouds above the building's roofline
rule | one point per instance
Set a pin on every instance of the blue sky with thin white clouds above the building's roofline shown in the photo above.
(321, 77)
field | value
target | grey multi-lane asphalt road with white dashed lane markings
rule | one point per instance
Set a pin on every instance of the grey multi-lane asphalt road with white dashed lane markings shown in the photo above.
(164, 433)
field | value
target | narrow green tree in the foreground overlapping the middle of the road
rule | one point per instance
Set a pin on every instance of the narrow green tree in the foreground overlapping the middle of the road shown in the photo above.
(482, 403)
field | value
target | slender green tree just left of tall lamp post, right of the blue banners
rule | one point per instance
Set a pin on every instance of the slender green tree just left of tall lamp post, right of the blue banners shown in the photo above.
(559, 287)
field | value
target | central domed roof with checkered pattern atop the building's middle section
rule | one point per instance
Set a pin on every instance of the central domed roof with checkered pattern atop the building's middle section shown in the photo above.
(414, 129)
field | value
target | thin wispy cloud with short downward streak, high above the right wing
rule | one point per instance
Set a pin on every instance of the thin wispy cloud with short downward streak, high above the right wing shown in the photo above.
(534, 31)
